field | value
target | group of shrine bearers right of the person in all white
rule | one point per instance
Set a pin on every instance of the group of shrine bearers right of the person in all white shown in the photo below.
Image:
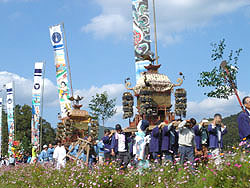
(185, 140)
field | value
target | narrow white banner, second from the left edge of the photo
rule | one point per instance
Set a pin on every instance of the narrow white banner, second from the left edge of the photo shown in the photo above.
(10, 114)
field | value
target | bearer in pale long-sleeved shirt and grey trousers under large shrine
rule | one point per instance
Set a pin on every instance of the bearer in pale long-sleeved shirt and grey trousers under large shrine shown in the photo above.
(186, 140)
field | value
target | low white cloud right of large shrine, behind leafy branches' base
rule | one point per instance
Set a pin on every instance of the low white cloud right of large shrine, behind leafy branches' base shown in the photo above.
(209, 106)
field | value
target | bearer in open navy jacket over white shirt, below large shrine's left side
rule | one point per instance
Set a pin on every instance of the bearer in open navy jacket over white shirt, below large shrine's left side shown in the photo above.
(119, 146)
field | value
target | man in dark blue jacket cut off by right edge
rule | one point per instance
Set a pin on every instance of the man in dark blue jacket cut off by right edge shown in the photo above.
(244, 120)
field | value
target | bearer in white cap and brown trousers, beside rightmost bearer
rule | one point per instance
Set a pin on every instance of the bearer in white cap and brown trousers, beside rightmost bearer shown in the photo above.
(201, 139)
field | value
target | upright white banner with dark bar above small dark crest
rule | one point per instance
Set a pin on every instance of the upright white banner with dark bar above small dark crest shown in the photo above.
(36, 102)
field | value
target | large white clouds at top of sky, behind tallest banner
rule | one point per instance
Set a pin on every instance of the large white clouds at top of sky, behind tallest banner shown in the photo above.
(173, 16)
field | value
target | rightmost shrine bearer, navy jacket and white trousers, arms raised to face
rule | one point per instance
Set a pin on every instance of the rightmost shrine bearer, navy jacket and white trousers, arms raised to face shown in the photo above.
(216, 132)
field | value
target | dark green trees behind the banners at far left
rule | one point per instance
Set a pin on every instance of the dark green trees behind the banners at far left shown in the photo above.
(23, 115)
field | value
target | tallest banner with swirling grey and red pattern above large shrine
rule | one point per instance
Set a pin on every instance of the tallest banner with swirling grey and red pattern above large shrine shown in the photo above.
(141, 31)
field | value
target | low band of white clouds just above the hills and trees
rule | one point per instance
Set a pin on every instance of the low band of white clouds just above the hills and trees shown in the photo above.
(197, 109)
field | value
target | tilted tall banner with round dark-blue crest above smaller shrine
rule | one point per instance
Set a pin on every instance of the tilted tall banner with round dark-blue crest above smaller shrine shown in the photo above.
(56, 37)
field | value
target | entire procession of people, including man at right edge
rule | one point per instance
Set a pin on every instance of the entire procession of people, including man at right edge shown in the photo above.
(179, 141)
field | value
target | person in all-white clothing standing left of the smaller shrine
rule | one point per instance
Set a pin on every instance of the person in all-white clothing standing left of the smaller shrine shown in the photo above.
(59, 156)
